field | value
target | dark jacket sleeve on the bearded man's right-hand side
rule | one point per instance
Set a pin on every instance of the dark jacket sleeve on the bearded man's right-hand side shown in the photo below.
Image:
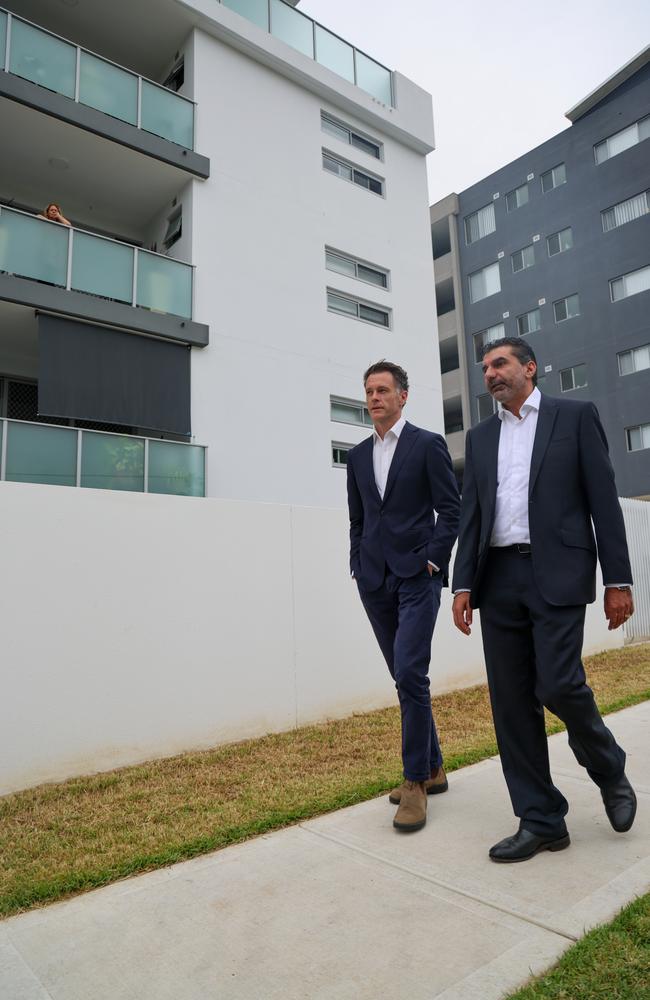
(600, 486)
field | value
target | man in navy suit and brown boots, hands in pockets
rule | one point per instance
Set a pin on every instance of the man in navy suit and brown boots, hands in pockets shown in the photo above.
(399, 554)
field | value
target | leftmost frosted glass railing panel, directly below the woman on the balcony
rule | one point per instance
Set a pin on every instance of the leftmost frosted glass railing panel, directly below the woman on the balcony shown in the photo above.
(33, 248)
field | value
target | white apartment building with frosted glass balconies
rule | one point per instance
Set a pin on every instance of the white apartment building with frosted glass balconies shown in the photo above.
(249, 230)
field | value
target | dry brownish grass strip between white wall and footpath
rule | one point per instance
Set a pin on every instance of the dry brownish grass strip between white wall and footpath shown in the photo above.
(64, 838)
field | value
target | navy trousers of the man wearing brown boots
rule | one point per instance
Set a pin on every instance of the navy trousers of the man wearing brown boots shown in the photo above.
(403, 613)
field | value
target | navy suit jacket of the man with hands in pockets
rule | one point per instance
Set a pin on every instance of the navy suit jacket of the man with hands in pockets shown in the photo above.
(401, 531)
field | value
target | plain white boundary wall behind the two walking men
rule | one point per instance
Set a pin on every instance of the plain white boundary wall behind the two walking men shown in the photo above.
(135, 627)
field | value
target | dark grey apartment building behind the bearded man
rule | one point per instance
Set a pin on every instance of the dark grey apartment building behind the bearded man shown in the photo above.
(555, 247)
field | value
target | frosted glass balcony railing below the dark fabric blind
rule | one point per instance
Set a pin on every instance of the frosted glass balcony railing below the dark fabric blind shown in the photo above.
(65, 456)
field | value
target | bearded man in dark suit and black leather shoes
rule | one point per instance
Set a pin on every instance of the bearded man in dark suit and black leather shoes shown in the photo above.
(537, 474)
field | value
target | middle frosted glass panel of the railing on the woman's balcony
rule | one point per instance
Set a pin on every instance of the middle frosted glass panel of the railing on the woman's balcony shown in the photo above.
(102, 267)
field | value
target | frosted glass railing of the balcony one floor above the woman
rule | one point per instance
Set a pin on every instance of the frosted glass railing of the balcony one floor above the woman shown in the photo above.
(31, 52)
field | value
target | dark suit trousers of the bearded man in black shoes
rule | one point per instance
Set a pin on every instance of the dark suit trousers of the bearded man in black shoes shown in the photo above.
(533, 658)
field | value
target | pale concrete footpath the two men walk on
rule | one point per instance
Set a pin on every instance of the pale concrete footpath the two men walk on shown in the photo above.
(344, 908)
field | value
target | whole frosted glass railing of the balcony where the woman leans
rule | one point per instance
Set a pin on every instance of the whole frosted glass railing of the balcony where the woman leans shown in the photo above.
(83, 262)
